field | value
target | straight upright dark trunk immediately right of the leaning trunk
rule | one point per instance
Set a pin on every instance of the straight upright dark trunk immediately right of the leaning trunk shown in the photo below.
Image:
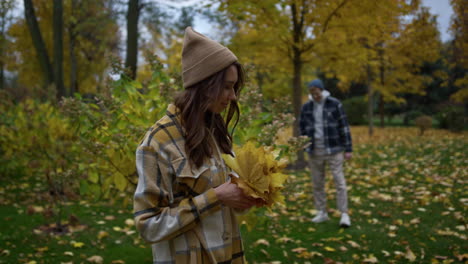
(58, 48)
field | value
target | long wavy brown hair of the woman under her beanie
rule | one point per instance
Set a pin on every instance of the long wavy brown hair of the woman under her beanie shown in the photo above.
(197, 119)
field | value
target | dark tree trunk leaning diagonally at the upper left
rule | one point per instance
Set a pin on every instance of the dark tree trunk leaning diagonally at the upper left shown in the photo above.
(38, 43)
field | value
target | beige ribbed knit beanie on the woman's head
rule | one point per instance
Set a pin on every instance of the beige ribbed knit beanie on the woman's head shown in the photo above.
(202, 57)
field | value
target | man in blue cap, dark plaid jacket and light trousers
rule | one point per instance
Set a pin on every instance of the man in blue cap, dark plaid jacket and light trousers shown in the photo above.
(324, 121)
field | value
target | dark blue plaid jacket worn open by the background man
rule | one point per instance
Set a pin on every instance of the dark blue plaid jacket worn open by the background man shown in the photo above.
(337, 135)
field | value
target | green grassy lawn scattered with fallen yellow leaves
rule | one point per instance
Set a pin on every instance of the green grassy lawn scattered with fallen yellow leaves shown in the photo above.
(407, 197)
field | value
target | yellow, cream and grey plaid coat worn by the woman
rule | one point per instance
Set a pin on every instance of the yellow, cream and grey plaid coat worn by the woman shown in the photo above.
(175, 206)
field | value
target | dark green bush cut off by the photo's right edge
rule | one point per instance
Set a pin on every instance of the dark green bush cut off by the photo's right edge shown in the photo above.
(452, 117)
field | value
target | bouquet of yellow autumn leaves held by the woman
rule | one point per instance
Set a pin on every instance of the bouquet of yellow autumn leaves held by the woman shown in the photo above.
(259, 173)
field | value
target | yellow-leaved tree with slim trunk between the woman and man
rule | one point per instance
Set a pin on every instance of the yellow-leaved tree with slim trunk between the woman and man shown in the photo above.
(295, 26)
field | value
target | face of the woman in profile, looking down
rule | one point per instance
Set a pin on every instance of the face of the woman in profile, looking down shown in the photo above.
(228, 93)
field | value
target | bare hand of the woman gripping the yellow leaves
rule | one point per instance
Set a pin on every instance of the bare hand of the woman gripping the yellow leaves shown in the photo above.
(233, 196)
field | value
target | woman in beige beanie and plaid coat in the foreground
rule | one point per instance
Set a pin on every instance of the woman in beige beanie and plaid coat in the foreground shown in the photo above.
(184, 203)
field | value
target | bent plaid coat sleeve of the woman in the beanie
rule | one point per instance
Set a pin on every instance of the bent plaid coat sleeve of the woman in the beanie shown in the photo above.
(160, 211)
